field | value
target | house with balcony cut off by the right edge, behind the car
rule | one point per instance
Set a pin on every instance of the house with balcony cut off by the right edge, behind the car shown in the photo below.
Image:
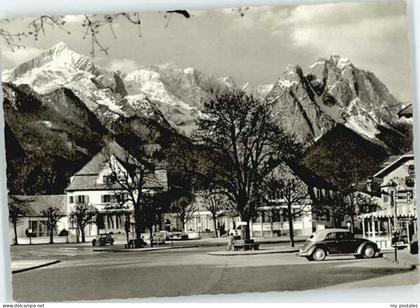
(394, 184)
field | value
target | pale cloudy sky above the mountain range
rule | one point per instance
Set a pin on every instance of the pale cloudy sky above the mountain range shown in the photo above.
(253, 48)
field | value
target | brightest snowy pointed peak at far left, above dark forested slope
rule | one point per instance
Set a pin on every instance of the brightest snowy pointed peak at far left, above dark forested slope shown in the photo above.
(102, 91)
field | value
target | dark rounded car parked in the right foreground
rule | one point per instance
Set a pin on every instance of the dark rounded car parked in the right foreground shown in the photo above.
(337, 241)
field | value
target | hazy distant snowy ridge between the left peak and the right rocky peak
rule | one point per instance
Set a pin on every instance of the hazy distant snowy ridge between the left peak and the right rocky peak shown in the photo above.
(179, 93)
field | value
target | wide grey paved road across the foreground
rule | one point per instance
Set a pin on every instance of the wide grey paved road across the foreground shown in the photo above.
(93, 276)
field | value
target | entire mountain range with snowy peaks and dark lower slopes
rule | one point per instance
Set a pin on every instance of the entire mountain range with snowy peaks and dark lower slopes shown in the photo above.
(345, 115)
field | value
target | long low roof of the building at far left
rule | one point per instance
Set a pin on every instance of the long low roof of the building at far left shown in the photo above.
(37, 203)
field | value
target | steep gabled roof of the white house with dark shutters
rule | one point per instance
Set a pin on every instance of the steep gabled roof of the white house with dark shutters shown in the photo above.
(85, 178)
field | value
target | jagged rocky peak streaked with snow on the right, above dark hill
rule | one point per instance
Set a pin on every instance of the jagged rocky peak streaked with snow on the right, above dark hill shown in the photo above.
(333, 91)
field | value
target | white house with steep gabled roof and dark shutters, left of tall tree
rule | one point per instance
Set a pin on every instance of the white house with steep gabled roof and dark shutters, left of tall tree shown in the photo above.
(92, 185)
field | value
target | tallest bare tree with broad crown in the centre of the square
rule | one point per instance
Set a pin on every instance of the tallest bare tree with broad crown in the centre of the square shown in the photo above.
(249, 143)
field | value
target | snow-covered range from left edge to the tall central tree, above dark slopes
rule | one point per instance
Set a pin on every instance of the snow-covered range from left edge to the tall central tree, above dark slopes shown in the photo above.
(164, 93)
